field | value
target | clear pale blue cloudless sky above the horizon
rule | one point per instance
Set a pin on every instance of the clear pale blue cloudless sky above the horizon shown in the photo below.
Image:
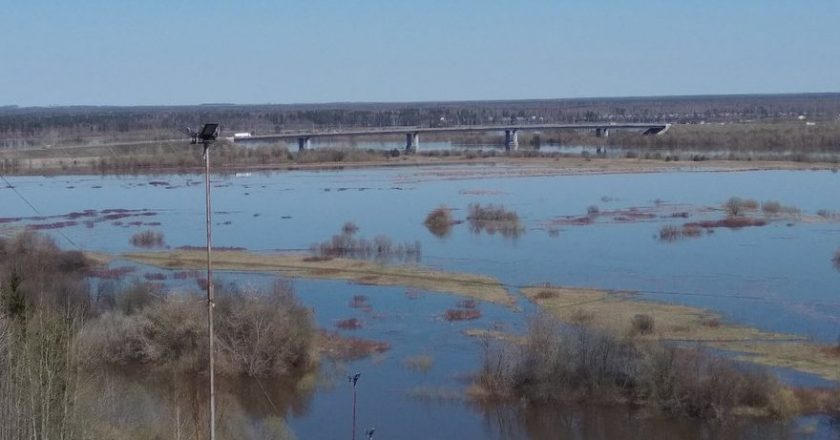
(145, 52)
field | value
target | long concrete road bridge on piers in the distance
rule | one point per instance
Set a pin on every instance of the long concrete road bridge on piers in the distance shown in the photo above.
(412, 134)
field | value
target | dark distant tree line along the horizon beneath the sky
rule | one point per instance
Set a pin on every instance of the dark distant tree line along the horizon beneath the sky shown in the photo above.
(48, 126)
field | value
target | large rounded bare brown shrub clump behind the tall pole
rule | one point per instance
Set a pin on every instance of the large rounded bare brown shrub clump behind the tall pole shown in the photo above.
(258, 333)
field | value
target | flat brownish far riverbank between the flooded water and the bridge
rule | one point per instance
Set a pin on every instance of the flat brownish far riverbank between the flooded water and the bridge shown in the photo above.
(229, 160)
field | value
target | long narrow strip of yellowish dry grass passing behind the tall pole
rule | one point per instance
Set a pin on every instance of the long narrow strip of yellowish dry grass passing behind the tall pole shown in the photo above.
(474, 286)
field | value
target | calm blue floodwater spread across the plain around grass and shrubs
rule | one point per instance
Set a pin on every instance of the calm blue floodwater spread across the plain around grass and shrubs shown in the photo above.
(778, 277)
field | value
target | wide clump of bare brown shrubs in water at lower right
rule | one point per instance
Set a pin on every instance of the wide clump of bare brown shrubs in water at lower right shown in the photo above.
(556, 364)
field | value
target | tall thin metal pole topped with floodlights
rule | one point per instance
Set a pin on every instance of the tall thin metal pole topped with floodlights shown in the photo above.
(207, 136)
